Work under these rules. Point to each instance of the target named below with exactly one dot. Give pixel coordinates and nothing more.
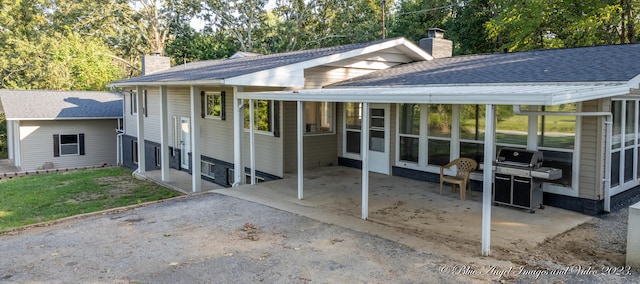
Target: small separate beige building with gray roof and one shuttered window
(61, 129)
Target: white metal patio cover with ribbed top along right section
(511, 94)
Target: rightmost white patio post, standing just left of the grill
(487, 178)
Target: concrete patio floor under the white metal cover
(404, 210)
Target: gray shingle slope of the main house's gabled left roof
(229, 68)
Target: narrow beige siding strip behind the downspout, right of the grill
(592, 151)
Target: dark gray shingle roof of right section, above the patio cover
(585, 64)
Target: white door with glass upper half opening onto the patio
(379, 138)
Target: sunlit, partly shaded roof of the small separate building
(60, 105)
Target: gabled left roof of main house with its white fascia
(270, 70)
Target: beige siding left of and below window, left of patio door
(319, 150)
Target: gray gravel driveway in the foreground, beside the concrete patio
(211, 238)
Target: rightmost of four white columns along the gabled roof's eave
(238, 134)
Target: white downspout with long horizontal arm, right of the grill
(608, 141)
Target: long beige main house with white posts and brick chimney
(264, 116)
